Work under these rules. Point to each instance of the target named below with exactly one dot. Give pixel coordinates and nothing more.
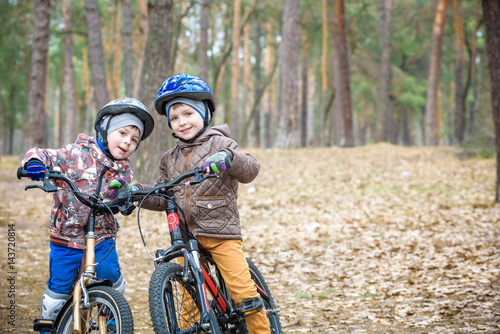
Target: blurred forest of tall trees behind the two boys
(285, 74)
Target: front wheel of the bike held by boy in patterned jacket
(109, 312)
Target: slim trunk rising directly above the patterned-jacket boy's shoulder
(69, 75)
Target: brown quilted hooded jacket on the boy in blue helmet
(211, 207)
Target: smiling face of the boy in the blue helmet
(186, 122)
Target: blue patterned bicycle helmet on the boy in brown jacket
(188, 86)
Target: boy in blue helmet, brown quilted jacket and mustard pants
(211, 206)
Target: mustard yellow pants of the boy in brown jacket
(231, 261)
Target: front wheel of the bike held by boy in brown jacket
(173, 304)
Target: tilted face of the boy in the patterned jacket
(123, 141)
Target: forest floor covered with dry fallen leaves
(376, 239)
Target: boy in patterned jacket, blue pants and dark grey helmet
(92, 163)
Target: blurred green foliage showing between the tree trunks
(412, 23)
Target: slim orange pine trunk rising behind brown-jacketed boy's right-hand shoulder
(233, 118)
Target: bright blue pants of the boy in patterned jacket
(65, 263)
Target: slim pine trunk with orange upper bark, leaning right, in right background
(431, 106)
